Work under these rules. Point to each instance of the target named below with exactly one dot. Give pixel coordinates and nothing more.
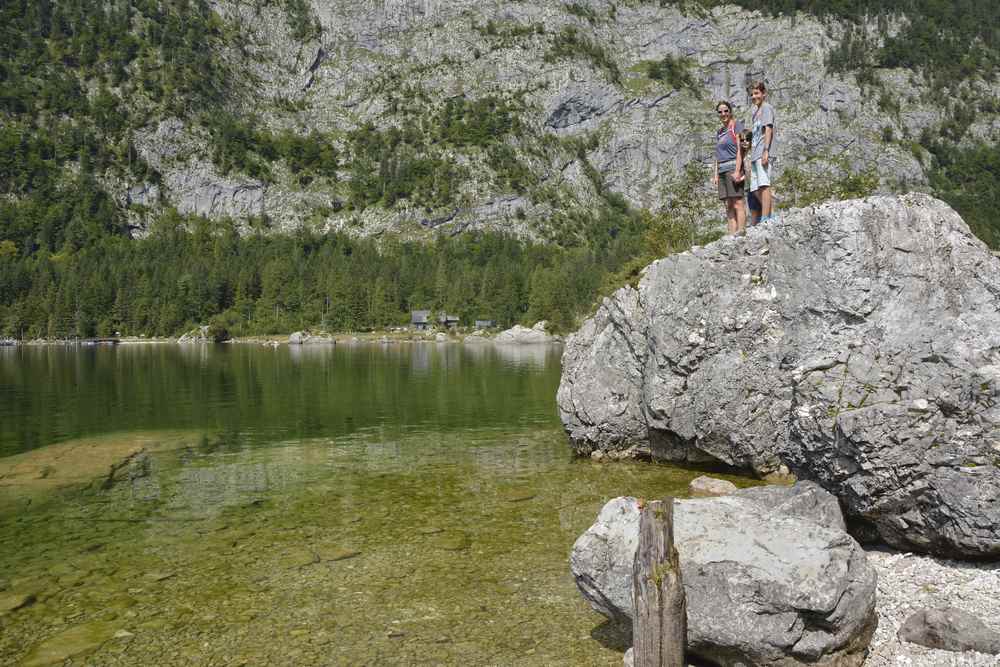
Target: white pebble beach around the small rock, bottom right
(909, 582)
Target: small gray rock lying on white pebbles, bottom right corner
(949, 629)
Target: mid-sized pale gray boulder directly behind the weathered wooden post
(764, 587)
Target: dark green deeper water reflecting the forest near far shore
(51, 394)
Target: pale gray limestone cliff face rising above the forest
(591, 120)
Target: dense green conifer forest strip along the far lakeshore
(193, 271)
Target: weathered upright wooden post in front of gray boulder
(659, 627)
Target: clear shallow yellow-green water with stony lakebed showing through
(446, 548)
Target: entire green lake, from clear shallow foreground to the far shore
(401, 504)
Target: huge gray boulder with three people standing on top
(856, 343)
